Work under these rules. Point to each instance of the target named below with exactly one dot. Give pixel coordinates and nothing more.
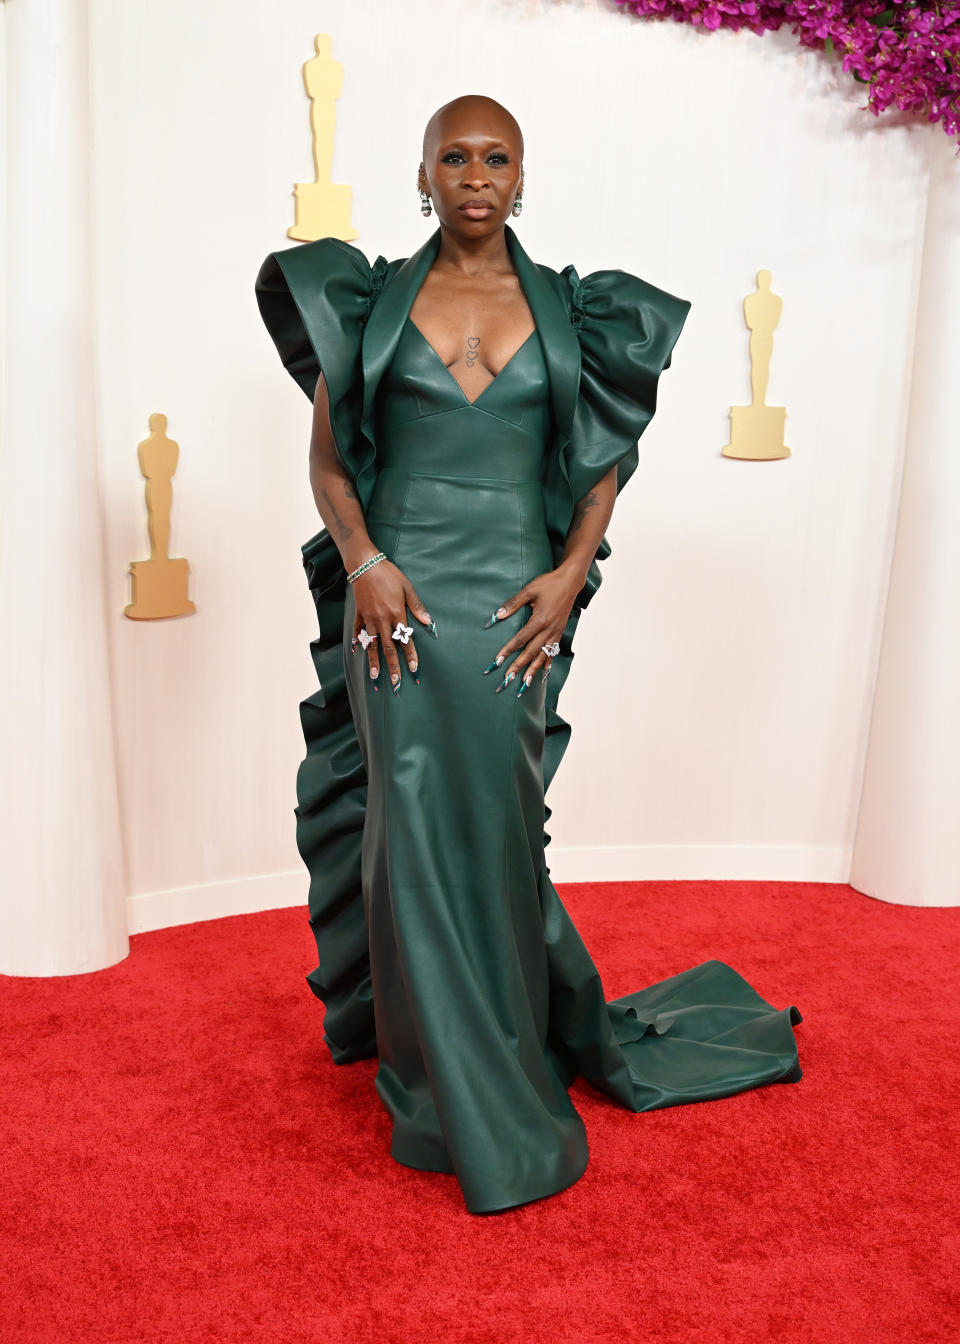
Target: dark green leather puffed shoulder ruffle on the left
(315, 300)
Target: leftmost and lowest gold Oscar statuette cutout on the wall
(159, 584)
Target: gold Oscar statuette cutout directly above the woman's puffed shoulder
(322, 206)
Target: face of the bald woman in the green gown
(471, 171)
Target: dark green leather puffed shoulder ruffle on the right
(627, 331)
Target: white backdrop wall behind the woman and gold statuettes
(724, 678)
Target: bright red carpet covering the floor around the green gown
(184, 1162)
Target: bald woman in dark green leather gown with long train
(475, 419)
